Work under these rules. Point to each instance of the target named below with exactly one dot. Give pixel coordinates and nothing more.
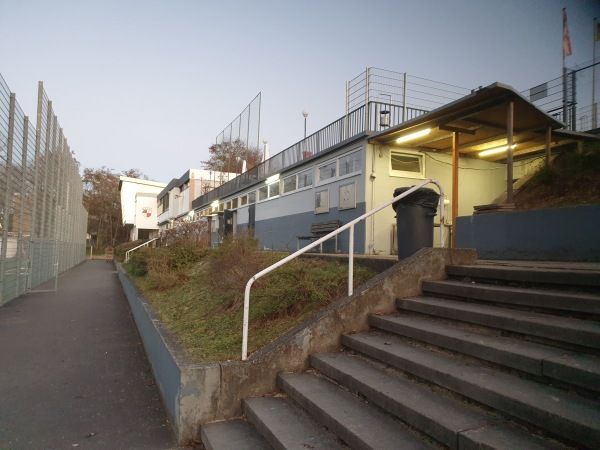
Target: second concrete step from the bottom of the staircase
(284, 425)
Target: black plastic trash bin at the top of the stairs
(414, 219)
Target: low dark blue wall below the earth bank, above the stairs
(559, 234)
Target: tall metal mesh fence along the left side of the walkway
(42, 219)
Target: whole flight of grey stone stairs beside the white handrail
(497, 356)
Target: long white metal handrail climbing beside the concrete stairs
(349, 225)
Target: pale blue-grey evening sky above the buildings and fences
(149, 84)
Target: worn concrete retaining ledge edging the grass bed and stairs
(198, 393)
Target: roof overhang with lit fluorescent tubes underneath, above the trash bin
(482, 121)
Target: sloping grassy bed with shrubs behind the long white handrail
(201, 301)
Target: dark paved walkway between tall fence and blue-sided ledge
(73, 373)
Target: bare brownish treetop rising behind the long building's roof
(228, 156)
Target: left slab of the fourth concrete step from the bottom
(435, 415)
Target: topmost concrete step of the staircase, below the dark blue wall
(549, 275)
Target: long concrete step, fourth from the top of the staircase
(569, 367)
